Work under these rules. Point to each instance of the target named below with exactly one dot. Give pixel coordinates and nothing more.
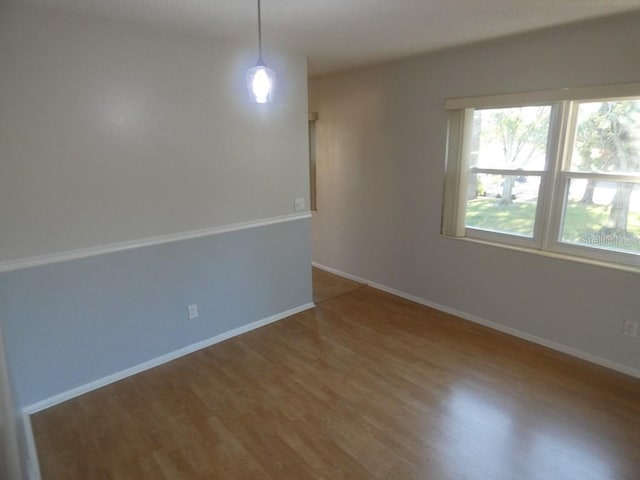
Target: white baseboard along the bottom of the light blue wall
(141, 367)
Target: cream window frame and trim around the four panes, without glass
(554, 180)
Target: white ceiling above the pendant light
(339, 34)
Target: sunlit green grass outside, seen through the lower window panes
(582, 222)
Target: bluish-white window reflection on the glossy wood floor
(489, 436)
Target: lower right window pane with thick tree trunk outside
(603, 215)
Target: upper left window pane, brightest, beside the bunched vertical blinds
(510, 138)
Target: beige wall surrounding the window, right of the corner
(380, 160)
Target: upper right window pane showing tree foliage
(607, 137)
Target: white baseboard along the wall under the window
(493, 325)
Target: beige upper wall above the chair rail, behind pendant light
(112, 133)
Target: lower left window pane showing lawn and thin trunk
(505, 204)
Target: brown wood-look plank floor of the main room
(366, 385)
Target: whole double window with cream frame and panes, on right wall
(555, 171)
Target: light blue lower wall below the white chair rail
(71, 323)
